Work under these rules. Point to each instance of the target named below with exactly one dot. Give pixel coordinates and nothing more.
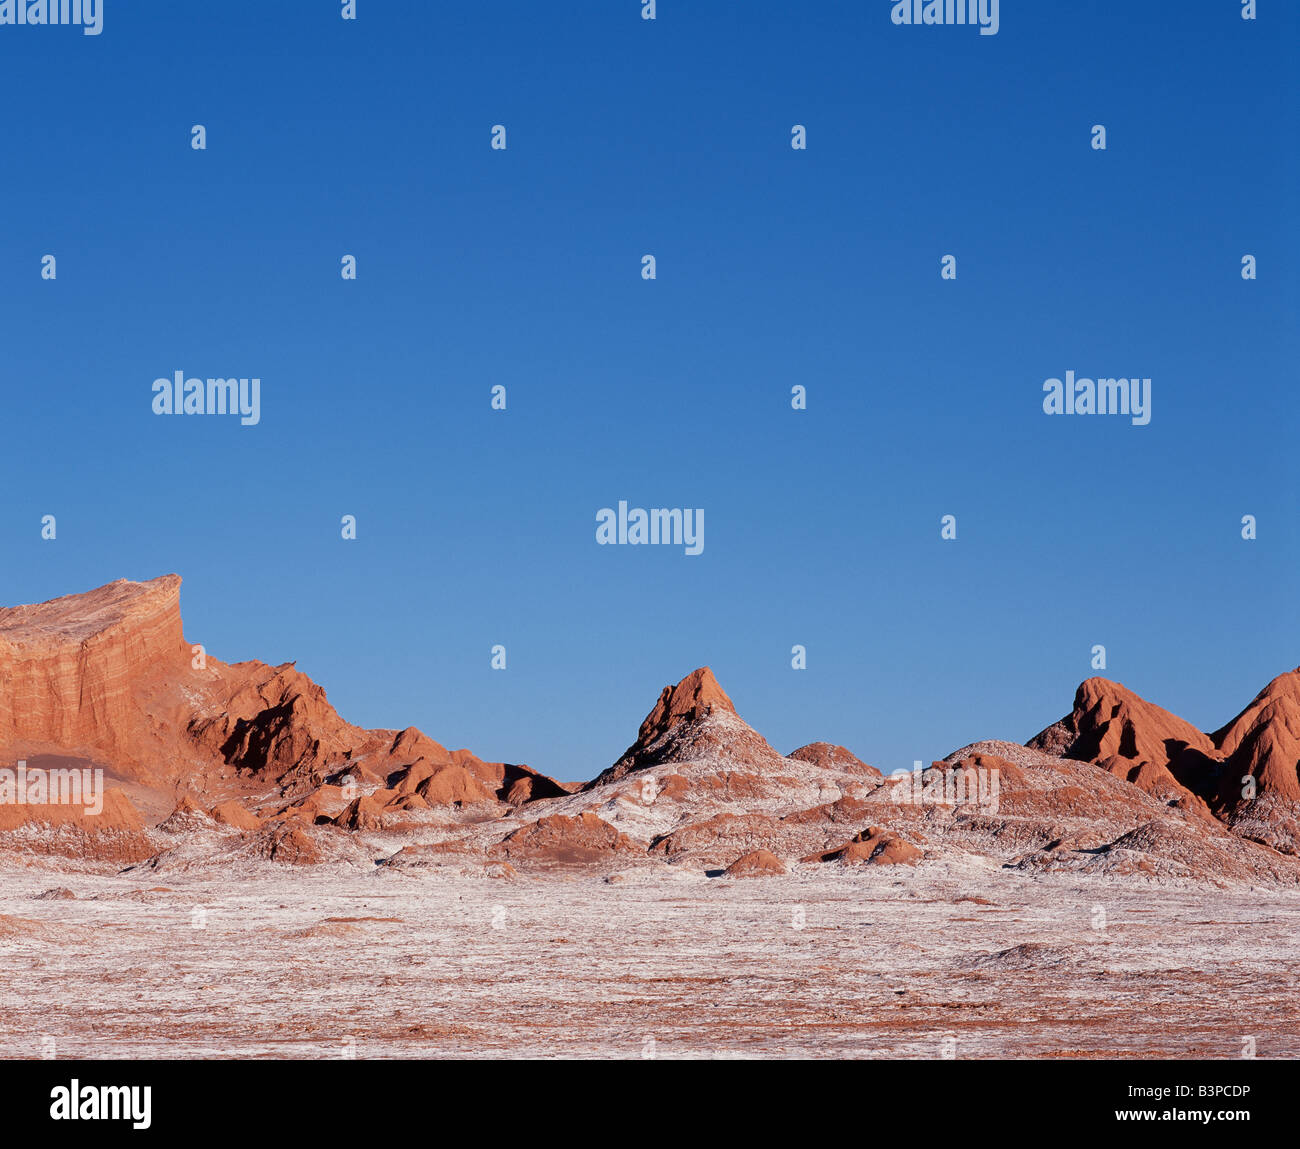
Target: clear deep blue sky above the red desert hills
(775, 267)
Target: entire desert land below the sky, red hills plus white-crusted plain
(261, 879)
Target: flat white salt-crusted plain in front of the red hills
(948, 960)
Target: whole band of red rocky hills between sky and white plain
(244, 764)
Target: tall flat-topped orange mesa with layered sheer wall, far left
(70, 667)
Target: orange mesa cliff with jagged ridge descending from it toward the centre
(107, 677)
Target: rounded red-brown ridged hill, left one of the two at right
(1111, 722)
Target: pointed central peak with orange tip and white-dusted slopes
(692, 722)
